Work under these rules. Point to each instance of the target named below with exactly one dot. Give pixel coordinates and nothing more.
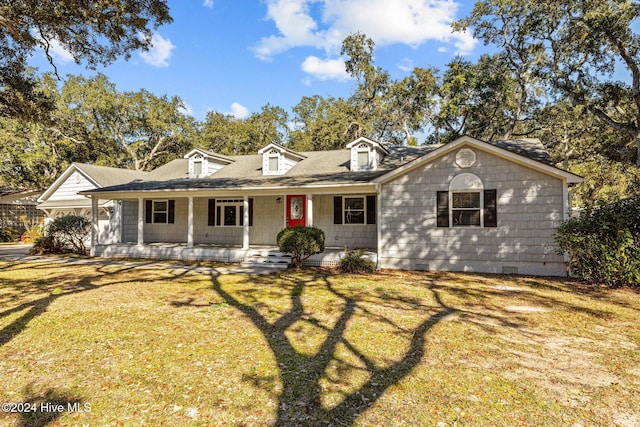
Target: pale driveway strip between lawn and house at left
(20, 252)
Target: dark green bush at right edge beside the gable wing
(603, 243)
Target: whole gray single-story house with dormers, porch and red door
(468, 205)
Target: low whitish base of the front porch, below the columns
(268, 255)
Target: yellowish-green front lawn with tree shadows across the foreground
(134, 346)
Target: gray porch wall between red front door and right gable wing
(340, 235)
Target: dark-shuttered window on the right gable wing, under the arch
(467, 209)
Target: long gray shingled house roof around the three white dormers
(330, 168)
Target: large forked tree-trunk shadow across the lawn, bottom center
(302, 374)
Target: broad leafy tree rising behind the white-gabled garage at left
(126, 129)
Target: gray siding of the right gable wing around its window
(529, 208)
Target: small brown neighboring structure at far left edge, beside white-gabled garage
(18, 204)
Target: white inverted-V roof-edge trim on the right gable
(484, 146)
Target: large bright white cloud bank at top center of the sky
(410, 22)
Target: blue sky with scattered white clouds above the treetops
(236, 56)
